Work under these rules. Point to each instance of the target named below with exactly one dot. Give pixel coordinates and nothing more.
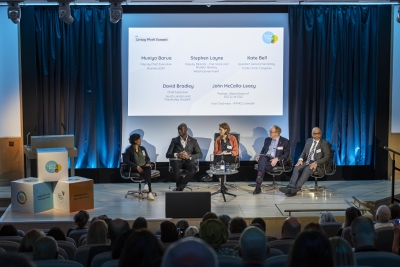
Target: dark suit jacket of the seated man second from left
(192, 148)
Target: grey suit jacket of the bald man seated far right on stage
(319, 157)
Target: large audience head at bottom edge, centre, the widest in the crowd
(190, 252)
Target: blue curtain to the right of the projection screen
(333, 78)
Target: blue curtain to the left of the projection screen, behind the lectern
(79, 81)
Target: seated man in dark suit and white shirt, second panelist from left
(184, 152)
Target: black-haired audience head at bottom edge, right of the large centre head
(311, 249)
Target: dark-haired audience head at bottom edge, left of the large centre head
(142, 249)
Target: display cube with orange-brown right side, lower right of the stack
(74, 194)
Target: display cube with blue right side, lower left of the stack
(31, 195)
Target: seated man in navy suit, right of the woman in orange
(276, 151)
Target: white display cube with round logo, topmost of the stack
(52, 164)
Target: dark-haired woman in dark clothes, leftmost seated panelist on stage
(138, 160)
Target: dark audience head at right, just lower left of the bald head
(363, 234)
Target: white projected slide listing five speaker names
(205, 71)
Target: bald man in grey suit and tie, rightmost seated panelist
(316, 152)
